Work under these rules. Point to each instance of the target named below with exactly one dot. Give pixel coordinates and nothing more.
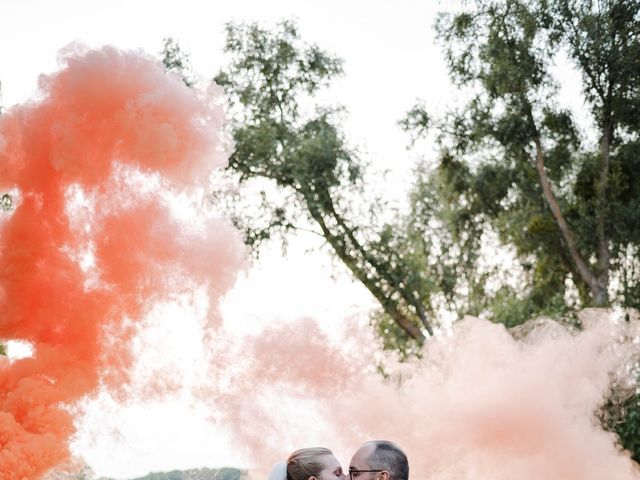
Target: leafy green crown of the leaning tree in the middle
(268, 76)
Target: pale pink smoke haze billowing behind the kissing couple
(480, 405)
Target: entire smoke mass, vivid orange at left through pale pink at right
(93, 246)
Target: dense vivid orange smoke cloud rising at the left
(91, 242)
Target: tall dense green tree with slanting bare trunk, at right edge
(517, 163)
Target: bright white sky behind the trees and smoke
(390, 61)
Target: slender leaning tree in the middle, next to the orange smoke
(313, 179)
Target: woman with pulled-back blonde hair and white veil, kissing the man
(308, 464)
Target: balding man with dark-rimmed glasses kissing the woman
(379, 460)
